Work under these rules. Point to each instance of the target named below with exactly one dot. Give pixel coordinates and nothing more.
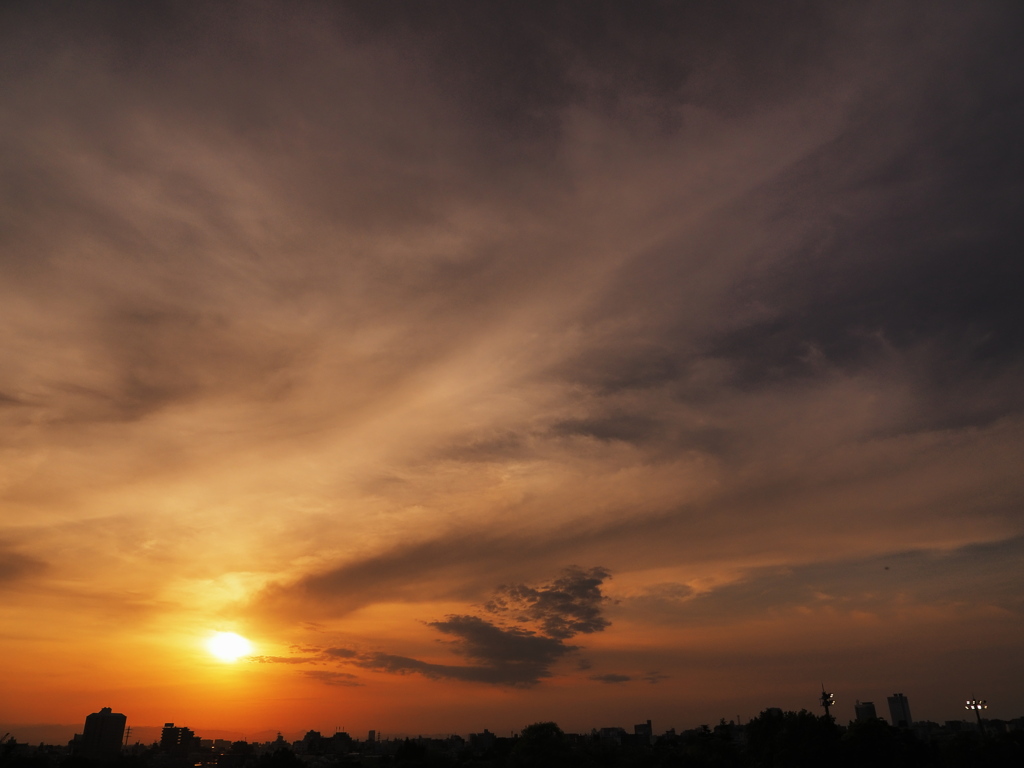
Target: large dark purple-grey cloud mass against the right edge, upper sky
(898, 240)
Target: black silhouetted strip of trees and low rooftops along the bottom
(789, 740)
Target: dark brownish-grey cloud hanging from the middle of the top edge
(514, 67)
